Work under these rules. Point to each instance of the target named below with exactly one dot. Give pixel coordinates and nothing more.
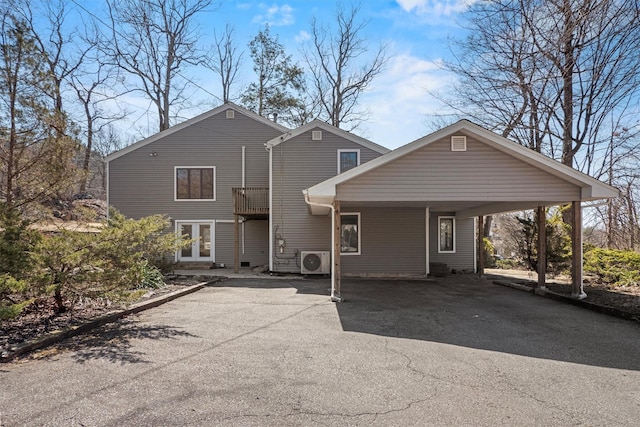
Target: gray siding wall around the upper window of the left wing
(142, 184)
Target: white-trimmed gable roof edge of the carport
(592, 189)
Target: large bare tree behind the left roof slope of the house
(155, 41)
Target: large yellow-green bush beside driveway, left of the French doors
(118, 259)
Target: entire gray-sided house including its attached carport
(318, 199)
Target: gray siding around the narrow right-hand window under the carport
(464, 257)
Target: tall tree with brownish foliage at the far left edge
(35, 151)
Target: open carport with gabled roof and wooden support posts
(469, 171)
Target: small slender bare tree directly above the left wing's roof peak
(225, 61)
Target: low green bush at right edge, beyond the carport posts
(613, 267)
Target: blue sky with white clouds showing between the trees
(398, 102)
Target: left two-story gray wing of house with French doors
(188, 171)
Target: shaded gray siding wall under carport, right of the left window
(393, 241)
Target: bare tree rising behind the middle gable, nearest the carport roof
(342, 67)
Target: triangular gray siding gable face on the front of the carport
(435, 173)
